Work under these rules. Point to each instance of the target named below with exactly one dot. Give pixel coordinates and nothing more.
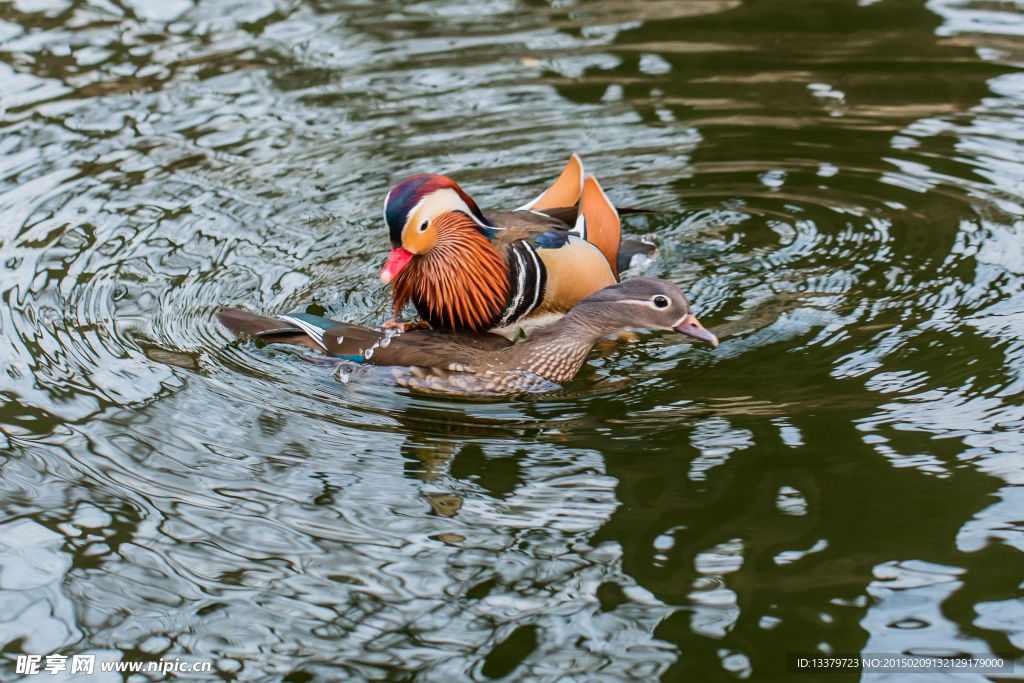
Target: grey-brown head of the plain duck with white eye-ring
(641, 303)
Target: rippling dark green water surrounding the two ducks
(844, 194)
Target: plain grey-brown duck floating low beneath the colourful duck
(482, 364)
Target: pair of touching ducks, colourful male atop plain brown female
(549, 269)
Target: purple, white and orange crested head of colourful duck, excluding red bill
(415, 203)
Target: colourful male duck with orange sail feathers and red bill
(504, 272)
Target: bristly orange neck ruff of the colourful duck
(461, 283)
